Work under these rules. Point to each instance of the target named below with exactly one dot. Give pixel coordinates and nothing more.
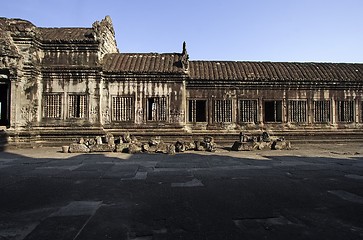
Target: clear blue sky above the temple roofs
(238, 30)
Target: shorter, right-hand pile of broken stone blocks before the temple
(262, 142)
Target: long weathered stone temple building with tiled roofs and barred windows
(57, 84)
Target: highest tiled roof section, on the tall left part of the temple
(66, 34)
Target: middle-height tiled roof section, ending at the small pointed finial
(143, 63)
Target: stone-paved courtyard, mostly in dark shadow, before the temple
(312, 192)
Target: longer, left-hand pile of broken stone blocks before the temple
(130, 144)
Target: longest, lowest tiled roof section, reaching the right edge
(228, 70)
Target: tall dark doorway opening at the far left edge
(4, 102)
